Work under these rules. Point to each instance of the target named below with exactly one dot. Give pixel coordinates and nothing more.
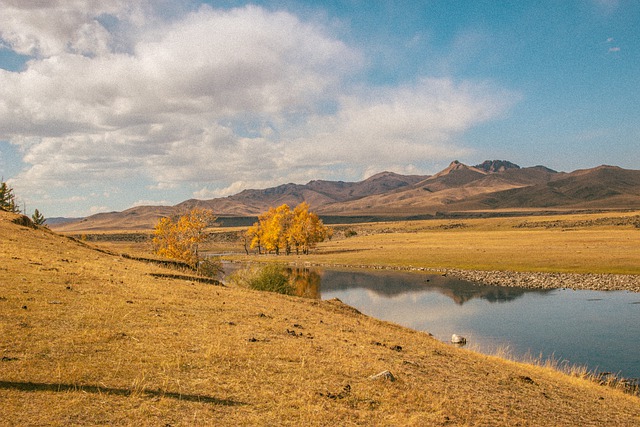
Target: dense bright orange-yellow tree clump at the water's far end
(283, 230)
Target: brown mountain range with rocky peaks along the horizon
(492, 187)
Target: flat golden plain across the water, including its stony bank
(558, 249)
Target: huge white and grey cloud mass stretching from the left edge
(218, 99)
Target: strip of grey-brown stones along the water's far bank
(537, 280)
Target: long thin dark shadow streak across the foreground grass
(33, 387)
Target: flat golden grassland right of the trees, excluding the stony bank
(569, 243)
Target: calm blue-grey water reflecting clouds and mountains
(598, 329)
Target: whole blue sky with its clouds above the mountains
(105, 105)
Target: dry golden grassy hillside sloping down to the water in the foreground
(90, 338)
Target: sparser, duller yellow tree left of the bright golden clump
(178, 238)
